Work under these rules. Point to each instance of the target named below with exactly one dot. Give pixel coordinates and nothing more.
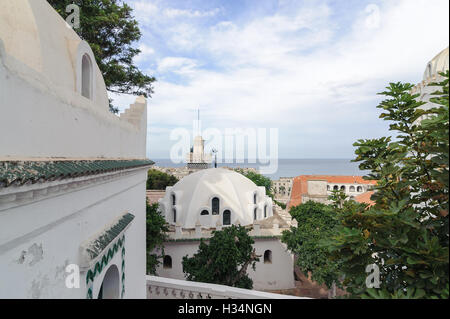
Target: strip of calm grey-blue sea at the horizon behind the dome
(294, 167)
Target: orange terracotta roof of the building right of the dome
(300, 184)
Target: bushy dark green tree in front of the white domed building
(224, 260)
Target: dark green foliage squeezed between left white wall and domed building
(156, 235)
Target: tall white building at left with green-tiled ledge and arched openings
(72, 175)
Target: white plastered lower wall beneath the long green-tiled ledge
(48, 233)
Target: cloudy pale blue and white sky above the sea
(309, 68)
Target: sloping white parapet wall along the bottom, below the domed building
(168, 288)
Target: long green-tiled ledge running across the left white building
(26, 172)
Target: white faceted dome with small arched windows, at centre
(194, 194)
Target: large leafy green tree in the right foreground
(406, 232)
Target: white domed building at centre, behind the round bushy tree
(212, 199)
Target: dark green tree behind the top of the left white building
(110, 29)
